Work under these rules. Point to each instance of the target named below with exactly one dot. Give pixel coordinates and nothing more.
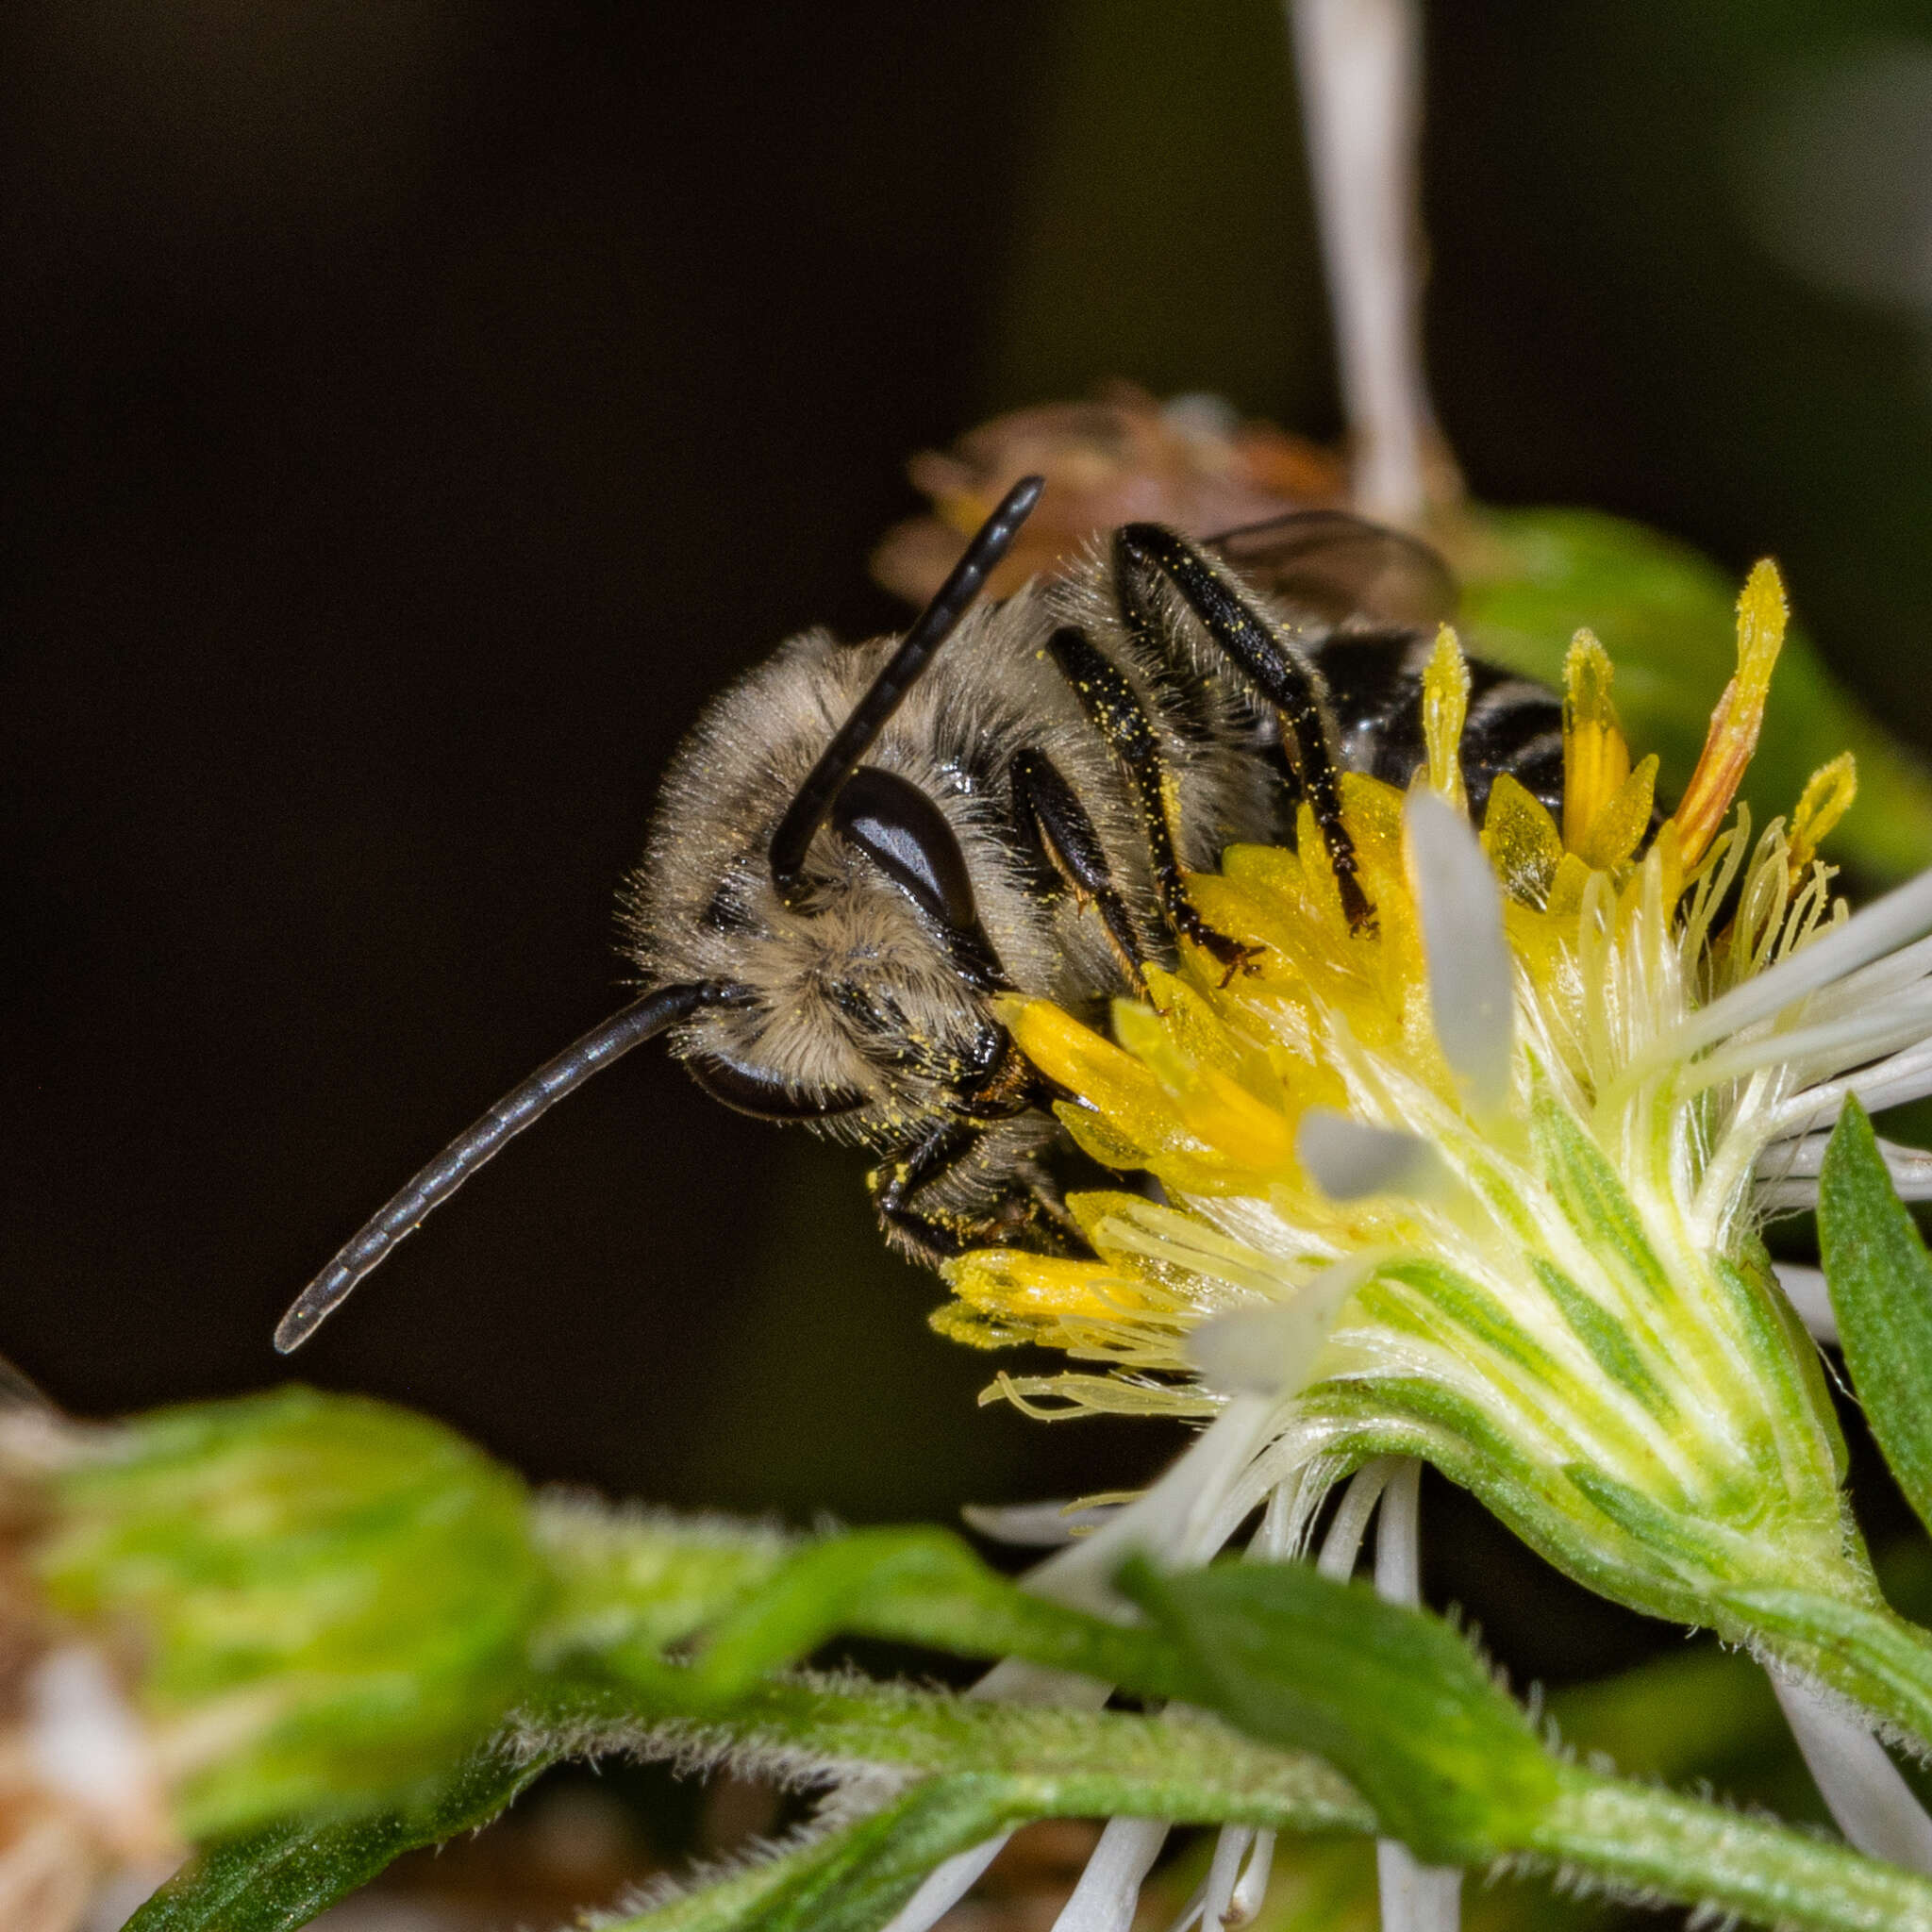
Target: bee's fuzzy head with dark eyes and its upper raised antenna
(836, 895)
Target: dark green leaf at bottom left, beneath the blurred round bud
(285, 1875)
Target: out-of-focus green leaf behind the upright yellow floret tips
(1668, 619)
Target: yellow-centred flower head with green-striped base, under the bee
(1485, 1183)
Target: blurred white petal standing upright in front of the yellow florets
(1471, 977)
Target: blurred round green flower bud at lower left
(333, 1595)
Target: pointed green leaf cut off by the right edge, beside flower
(1881, 1284)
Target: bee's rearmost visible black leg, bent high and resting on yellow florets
(1272, 666)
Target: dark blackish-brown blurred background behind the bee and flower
(414, 411)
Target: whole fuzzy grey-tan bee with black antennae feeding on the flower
(859, 847)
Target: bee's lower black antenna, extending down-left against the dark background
(430, 1189)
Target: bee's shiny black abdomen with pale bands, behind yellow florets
(1375, 685)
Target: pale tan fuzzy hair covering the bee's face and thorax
(704, 905)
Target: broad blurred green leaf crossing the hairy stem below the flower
(1396, 1701)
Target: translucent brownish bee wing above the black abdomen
(1334, 567)
